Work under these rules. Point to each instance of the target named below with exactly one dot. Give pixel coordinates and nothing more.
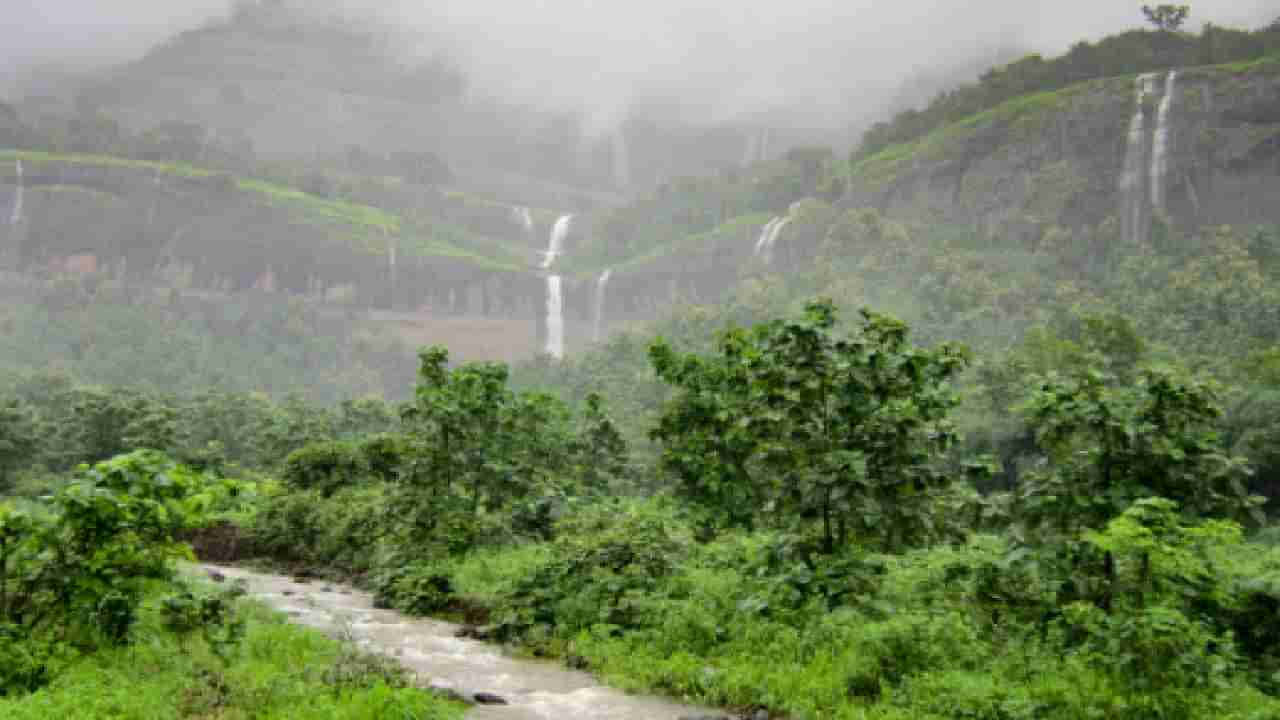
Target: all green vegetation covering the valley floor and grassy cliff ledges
(907, 471)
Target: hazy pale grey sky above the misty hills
(724, 57)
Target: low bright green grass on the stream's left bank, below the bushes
(277, 673)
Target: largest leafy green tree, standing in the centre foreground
(790, 421)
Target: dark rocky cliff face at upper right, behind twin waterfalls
(1058, 158)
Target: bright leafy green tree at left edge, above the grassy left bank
(79, 567)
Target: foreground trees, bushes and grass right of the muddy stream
(813, 540)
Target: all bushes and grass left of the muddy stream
(95, 618)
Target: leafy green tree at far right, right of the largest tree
(1109, 445)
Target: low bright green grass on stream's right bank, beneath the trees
(930, 657)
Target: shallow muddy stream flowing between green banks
(534, 690)
